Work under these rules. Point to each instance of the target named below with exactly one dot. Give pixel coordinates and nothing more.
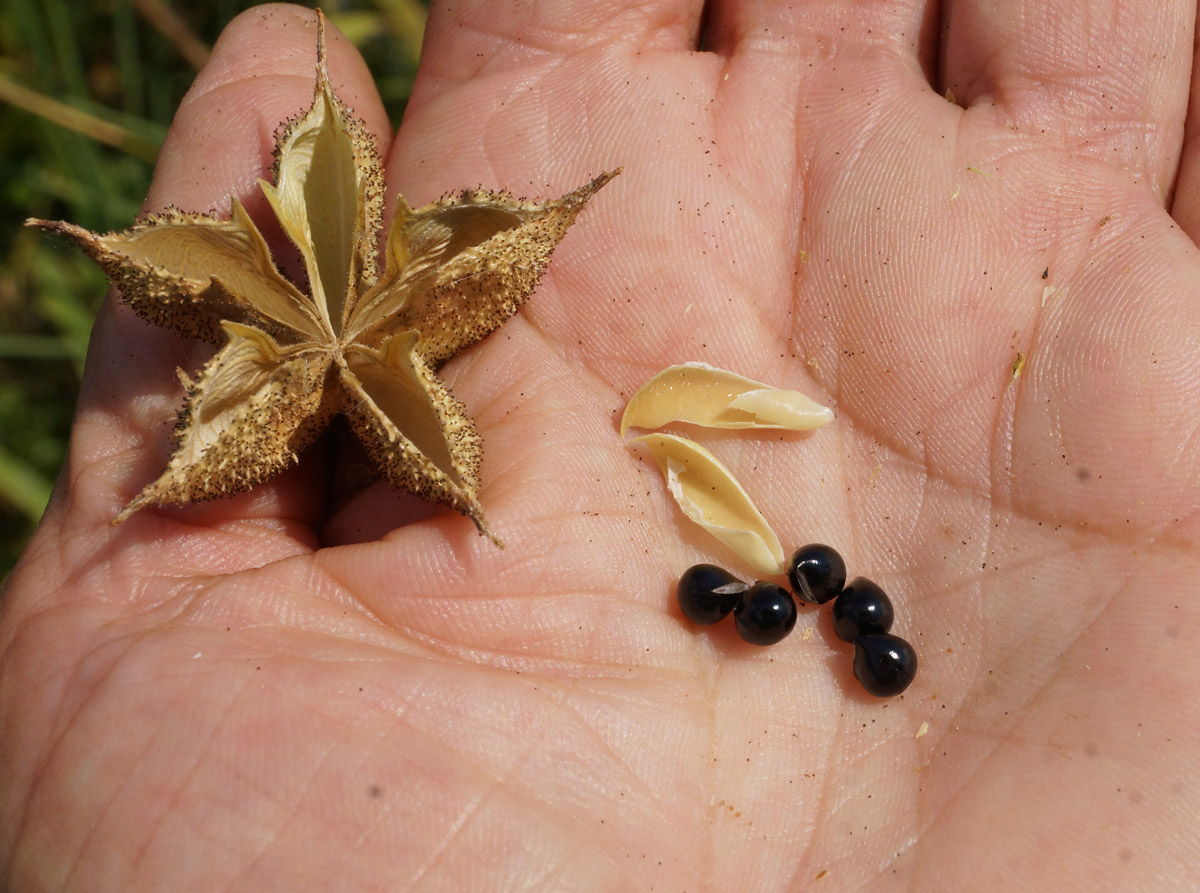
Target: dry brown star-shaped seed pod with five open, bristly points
(362, 343)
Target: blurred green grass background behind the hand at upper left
(87, 93)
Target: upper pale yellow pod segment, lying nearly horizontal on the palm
(700, 394)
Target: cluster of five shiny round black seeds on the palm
(765, 613)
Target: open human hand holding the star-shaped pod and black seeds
(297, 691)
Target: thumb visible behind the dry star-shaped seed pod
(262, 74)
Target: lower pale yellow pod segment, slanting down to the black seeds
(712, 498)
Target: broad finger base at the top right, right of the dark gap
(1106, 77)
